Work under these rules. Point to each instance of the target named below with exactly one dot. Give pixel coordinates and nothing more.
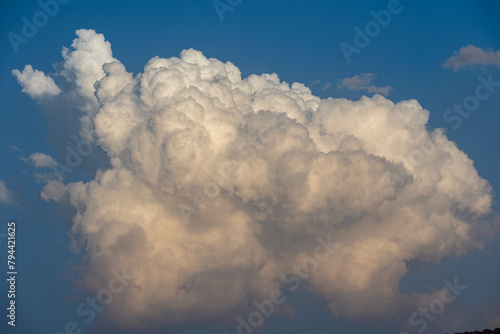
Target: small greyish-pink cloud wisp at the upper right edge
(471, 55)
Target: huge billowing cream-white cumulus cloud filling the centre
(218, 184)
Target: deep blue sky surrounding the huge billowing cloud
(298, 40)
